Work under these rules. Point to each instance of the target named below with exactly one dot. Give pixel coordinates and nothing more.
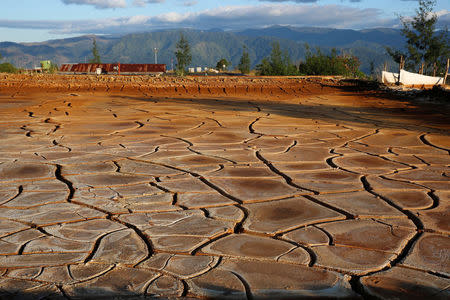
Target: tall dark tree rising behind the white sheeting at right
(423, 43)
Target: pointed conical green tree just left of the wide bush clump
(277, 64)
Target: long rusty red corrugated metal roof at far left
(112, 68)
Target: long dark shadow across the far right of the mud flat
(424, 117)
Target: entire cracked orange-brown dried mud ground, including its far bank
(220, 188)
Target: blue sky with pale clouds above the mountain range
(40, 20)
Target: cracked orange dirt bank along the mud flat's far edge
(168, 86)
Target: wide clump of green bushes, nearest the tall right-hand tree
(332, 64)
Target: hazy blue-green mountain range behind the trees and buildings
(208, 46)
